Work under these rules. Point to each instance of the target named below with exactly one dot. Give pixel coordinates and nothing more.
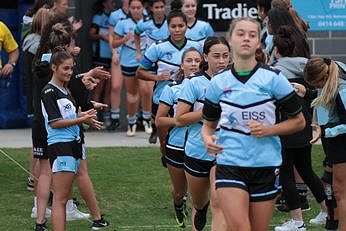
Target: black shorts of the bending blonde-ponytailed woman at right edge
(335, 148)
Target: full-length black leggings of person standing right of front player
(301, 159)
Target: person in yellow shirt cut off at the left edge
(11, 47)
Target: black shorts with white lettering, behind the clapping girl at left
(39, 140)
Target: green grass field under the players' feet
(132, 188)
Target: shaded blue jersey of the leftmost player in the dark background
(100, 47)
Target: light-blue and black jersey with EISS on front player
(234, 100)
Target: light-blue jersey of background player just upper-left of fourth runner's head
(154, 32)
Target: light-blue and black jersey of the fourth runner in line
(167, 57)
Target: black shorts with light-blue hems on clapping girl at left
(65, 149)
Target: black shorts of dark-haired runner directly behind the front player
(197, 167)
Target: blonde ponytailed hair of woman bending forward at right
(316, 70)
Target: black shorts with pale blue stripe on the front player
(260, 183)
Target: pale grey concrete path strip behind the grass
(18, 138)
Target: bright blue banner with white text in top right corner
(322, 15)
